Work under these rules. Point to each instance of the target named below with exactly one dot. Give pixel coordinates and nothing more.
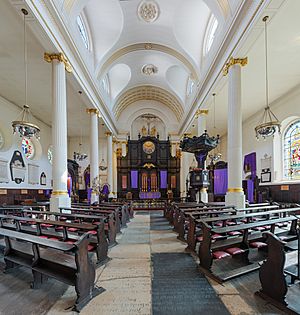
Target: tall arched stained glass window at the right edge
(291, 151)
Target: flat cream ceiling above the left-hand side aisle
(39, 74)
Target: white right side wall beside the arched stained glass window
(284, 107)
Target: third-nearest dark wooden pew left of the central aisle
(110, 227)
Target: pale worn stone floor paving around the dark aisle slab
(127, 277)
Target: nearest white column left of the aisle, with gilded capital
(59, 196)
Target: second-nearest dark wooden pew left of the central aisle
(61, 231)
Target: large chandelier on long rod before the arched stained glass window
(269, 123)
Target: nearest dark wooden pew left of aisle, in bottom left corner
(68, 263)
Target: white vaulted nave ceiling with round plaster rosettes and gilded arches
(130, 35)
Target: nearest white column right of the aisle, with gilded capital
(235, 194)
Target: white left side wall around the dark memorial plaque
(10, 112)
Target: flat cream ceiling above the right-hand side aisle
(284, 64)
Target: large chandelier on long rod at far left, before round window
(23, 127)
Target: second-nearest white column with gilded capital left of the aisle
(94, 153)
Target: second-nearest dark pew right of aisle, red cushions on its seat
(232, 256)
